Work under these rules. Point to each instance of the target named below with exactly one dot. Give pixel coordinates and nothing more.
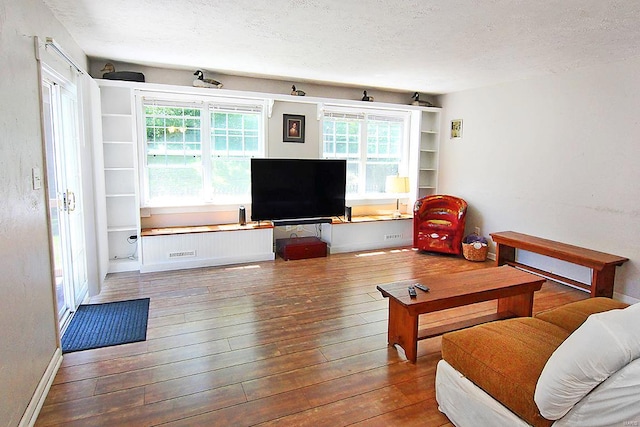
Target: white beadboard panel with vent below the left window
(214, 248)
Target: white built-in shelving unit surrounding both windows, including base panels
(129, 250)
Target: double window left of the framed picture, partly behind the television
(199, 152)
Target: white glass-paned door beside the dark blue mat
(60, 124)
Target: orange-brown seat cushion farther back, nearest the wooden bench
(571, 316)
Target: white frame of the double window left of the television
(208, 106)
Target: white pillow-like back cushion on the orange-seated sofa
(602, 345)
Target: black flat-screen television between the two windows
(297, 188)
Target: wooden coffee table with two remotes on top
(512, 288)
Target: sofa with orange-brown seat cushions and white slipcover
(576, 365)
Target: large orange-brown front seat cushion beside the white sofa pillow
(505, 359)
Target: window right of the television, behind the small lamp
(374, 144)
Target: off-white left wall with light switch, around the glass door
(28, 337)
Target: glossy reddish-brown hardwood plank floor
(274, 343)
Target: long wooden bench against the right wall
(602, 265)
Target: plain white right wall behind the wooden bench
(555, 157)
